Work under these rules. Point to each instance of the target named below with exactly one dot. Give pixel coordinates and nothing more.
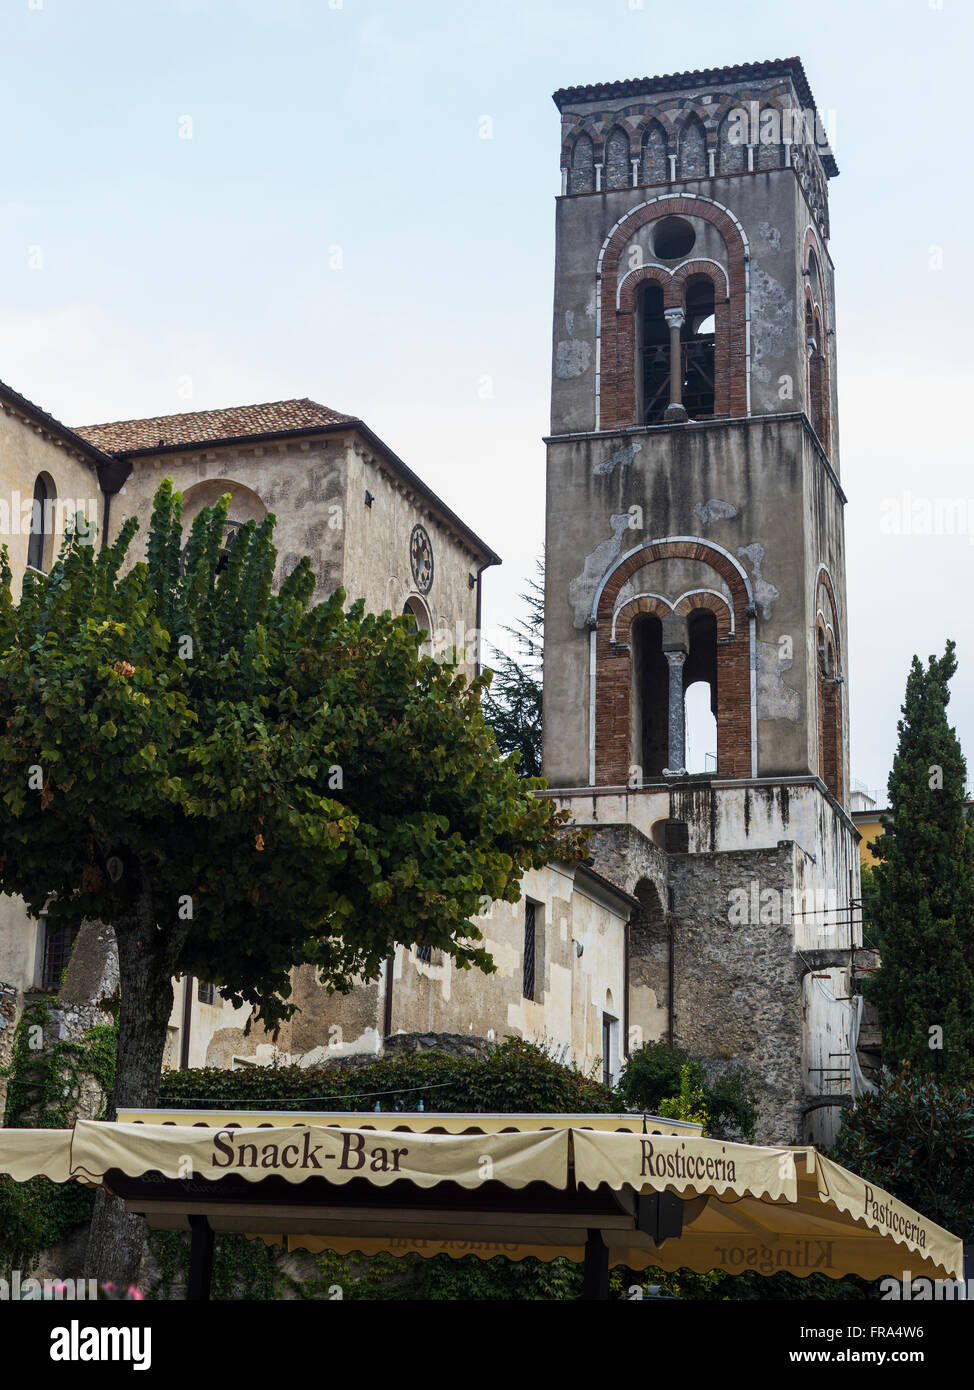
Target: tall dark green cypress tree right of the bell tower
(923, 900)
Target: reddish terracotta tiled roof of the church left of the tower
(273, 418)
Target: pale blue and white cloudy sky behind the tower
(220, 202)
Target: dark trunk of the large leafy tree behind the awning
(117, 1239)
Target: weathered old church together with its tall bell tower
(697, 710)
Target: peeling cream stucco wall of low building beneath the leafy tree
(573, 989)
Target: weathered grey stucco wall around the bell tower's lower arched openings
(759, 493)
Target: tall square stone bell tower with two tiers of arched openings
(695, 548)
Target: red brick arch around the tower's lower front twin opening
(612, 685)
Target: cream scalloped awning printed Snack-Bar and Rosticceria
(611, 1191)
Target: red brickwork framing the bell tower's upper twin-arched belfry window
(619, 350)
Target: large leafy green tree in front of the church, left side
(240, 782)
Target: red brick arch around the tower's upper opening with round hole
(616, 407)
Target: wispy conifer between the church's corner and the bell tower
(513, 704)
